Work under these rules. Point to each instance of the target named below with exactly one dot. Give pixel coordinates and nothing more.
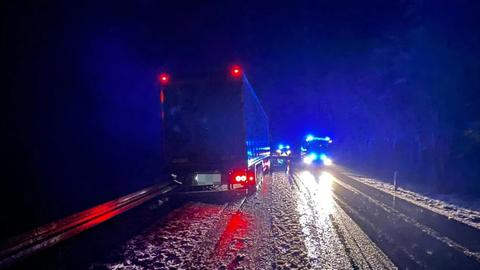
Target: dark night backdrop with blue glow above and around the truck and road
(82, 104)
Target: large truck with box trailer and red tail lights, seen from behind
(215, 130)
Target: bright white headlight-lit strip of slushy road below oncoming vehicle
(340, 233)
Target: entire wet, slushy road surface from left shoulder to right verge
(302, 219)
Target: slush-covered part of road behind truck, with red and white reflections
(292, 222)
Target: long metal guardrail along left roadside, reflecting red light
(45, 236)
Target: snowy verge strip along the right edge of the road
(451, 206)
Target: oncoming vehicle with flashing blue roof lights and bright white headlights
(315, 151)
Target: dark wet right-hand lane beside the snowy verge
(412, 235)
